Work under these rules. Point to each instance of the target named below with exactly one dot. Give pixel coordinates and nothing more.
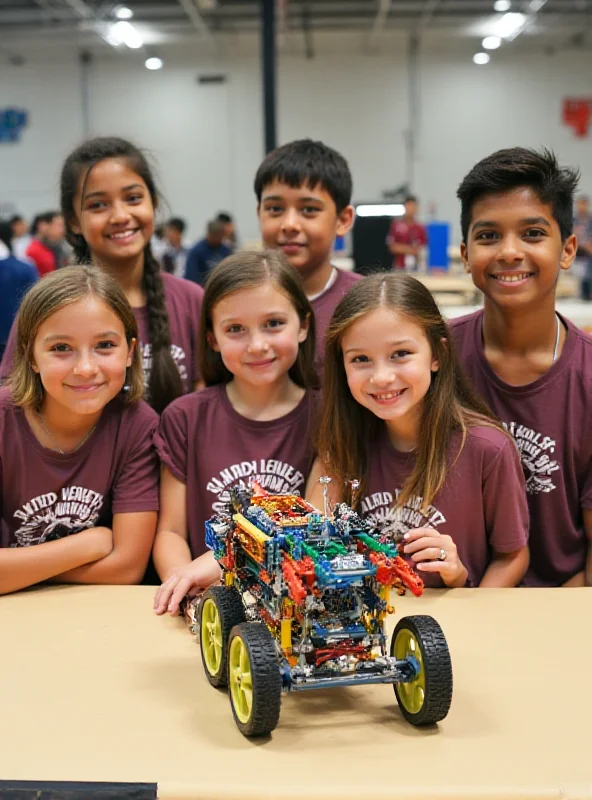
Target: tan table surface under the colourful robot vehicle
(95, 687)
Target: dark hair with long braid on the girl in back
(165, 382)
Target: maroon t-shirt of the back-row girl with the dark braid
(183, 302)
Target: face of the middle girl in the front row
(257, 332)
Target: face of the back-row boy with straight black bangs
(302, 223)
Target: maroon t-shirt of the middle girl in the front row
(209, 446)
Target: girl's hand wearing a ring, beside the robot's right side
(432, 551)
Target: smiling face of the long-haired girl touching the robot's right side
(389, 363)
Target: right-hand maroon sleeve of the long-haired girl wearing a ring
(504, 500)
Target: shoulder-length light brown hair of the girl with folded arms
(54, 292)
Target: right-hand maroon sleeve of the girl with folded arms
(136, 483)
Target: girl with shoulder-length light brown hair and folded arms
(78, 469)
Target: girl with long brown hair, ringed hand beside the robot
(407, 442)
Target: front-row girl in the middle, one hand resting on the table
(253, 421)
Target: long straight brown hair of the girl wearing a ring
(348, 430)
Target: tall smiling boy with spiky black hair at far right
(532, 366)
